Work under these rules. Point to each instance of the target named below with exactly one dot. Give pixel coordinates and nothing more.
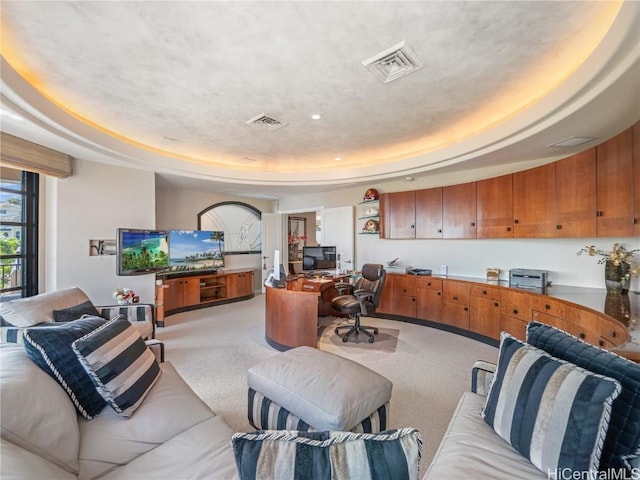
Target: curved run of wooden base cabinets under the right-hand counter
(487, 310)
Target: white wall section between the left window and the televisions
(92, 204)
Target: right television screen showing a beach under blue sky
(196, 250)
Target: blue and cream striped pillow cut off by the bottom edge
(295, 455)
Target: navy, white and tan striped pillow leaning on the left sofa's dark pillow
(120, 364)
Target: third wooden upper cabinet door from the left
(459, 211)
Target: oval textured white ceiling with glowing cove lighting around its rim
(170, 85)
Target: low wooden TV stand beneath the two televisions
(181, 292)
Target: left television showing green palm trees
(141, 251)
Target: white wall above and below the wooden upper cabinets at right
(472, 257)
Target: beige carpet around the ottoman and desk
(213, 348)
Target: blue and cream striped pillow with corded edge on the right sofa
(554, 413)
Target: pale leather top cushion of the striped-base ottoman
(327, 391)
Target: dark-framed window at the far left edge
(18, 234)
